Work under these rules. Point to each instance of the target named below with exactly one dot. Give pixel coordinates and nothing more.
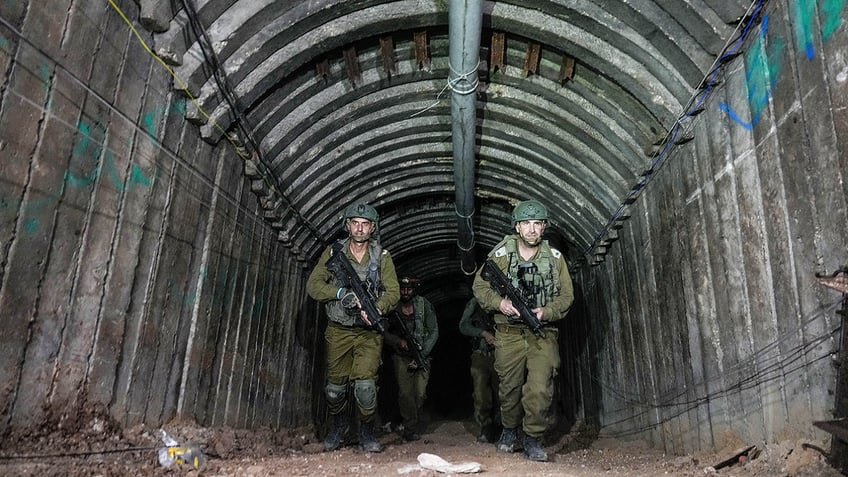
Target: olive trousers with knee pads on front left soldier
(353, 356)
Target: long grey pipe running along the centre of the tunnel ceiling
(465, 20)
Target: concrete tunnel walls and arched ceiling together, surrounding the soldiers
(172, 170)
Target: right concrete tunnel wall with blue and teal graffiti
(705, 324)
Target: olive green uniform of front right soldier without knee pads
(525, 363)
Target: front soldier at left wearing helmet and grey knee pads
(354, 343)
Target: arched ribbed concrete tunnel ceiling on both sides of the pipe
(346, 100)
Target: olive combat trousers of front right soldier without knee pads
(526, 366)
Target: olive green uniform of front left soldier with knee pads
(353, 351)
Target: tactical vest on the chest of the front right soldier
(540, 283)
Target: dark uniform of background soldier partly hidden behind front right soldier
(484, 379)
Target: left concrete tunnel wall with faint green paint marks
(139, 277)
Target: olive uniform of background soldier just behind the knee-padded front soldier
(412, 385)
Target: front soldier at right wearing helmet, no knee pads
(526, 349)
